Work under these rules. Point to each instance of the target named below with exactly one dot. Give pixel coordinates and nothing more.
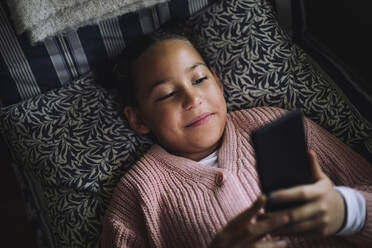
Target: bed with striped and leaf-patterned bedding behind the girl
(61, 119)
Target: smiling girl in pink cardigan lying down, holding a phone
(198, 186)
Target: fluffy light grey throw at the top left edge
(44, 18)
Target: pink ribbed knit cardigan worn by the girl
(171, 201)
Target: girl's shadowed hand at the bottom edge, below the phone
(241, 232)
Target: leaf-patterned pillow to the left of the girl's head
(70, 146)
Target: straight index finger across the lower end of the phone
(300, 193)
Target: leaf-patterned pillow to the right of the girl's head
(260, 65)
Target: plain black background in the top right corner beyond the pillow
(345, 27)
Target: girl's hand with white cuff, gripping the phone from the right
(324, 211)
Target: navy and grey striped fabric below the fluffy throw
(28, 70)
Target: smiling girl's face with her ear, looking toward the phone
(179, 99)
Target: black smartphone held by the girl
(281, 155)
